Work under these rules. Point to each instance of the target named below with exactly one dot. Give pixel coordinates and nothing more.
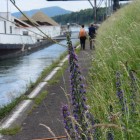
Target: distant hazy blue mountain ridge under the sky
(49, 11)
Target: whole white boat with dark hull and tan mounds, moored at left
(22, 36)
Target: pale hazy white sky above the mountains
(36, 4)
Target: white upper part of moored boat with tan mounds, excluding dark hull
(23, 31)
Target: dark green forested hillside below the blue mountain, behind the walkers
(82, 17)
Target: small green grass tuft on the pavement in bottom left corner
(10, 131)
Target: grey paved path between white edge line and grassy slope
(49, 111)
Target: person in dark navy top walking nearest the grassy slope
(92, 33)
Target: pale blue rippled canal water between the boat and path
(17, 74)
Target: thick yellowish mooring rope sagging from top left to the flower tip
(36, 25)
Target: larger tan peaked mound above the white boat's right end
(41, 17)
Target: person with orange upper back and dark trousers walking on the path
(82, 36)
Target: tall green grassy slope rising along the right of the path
(117, 49)
